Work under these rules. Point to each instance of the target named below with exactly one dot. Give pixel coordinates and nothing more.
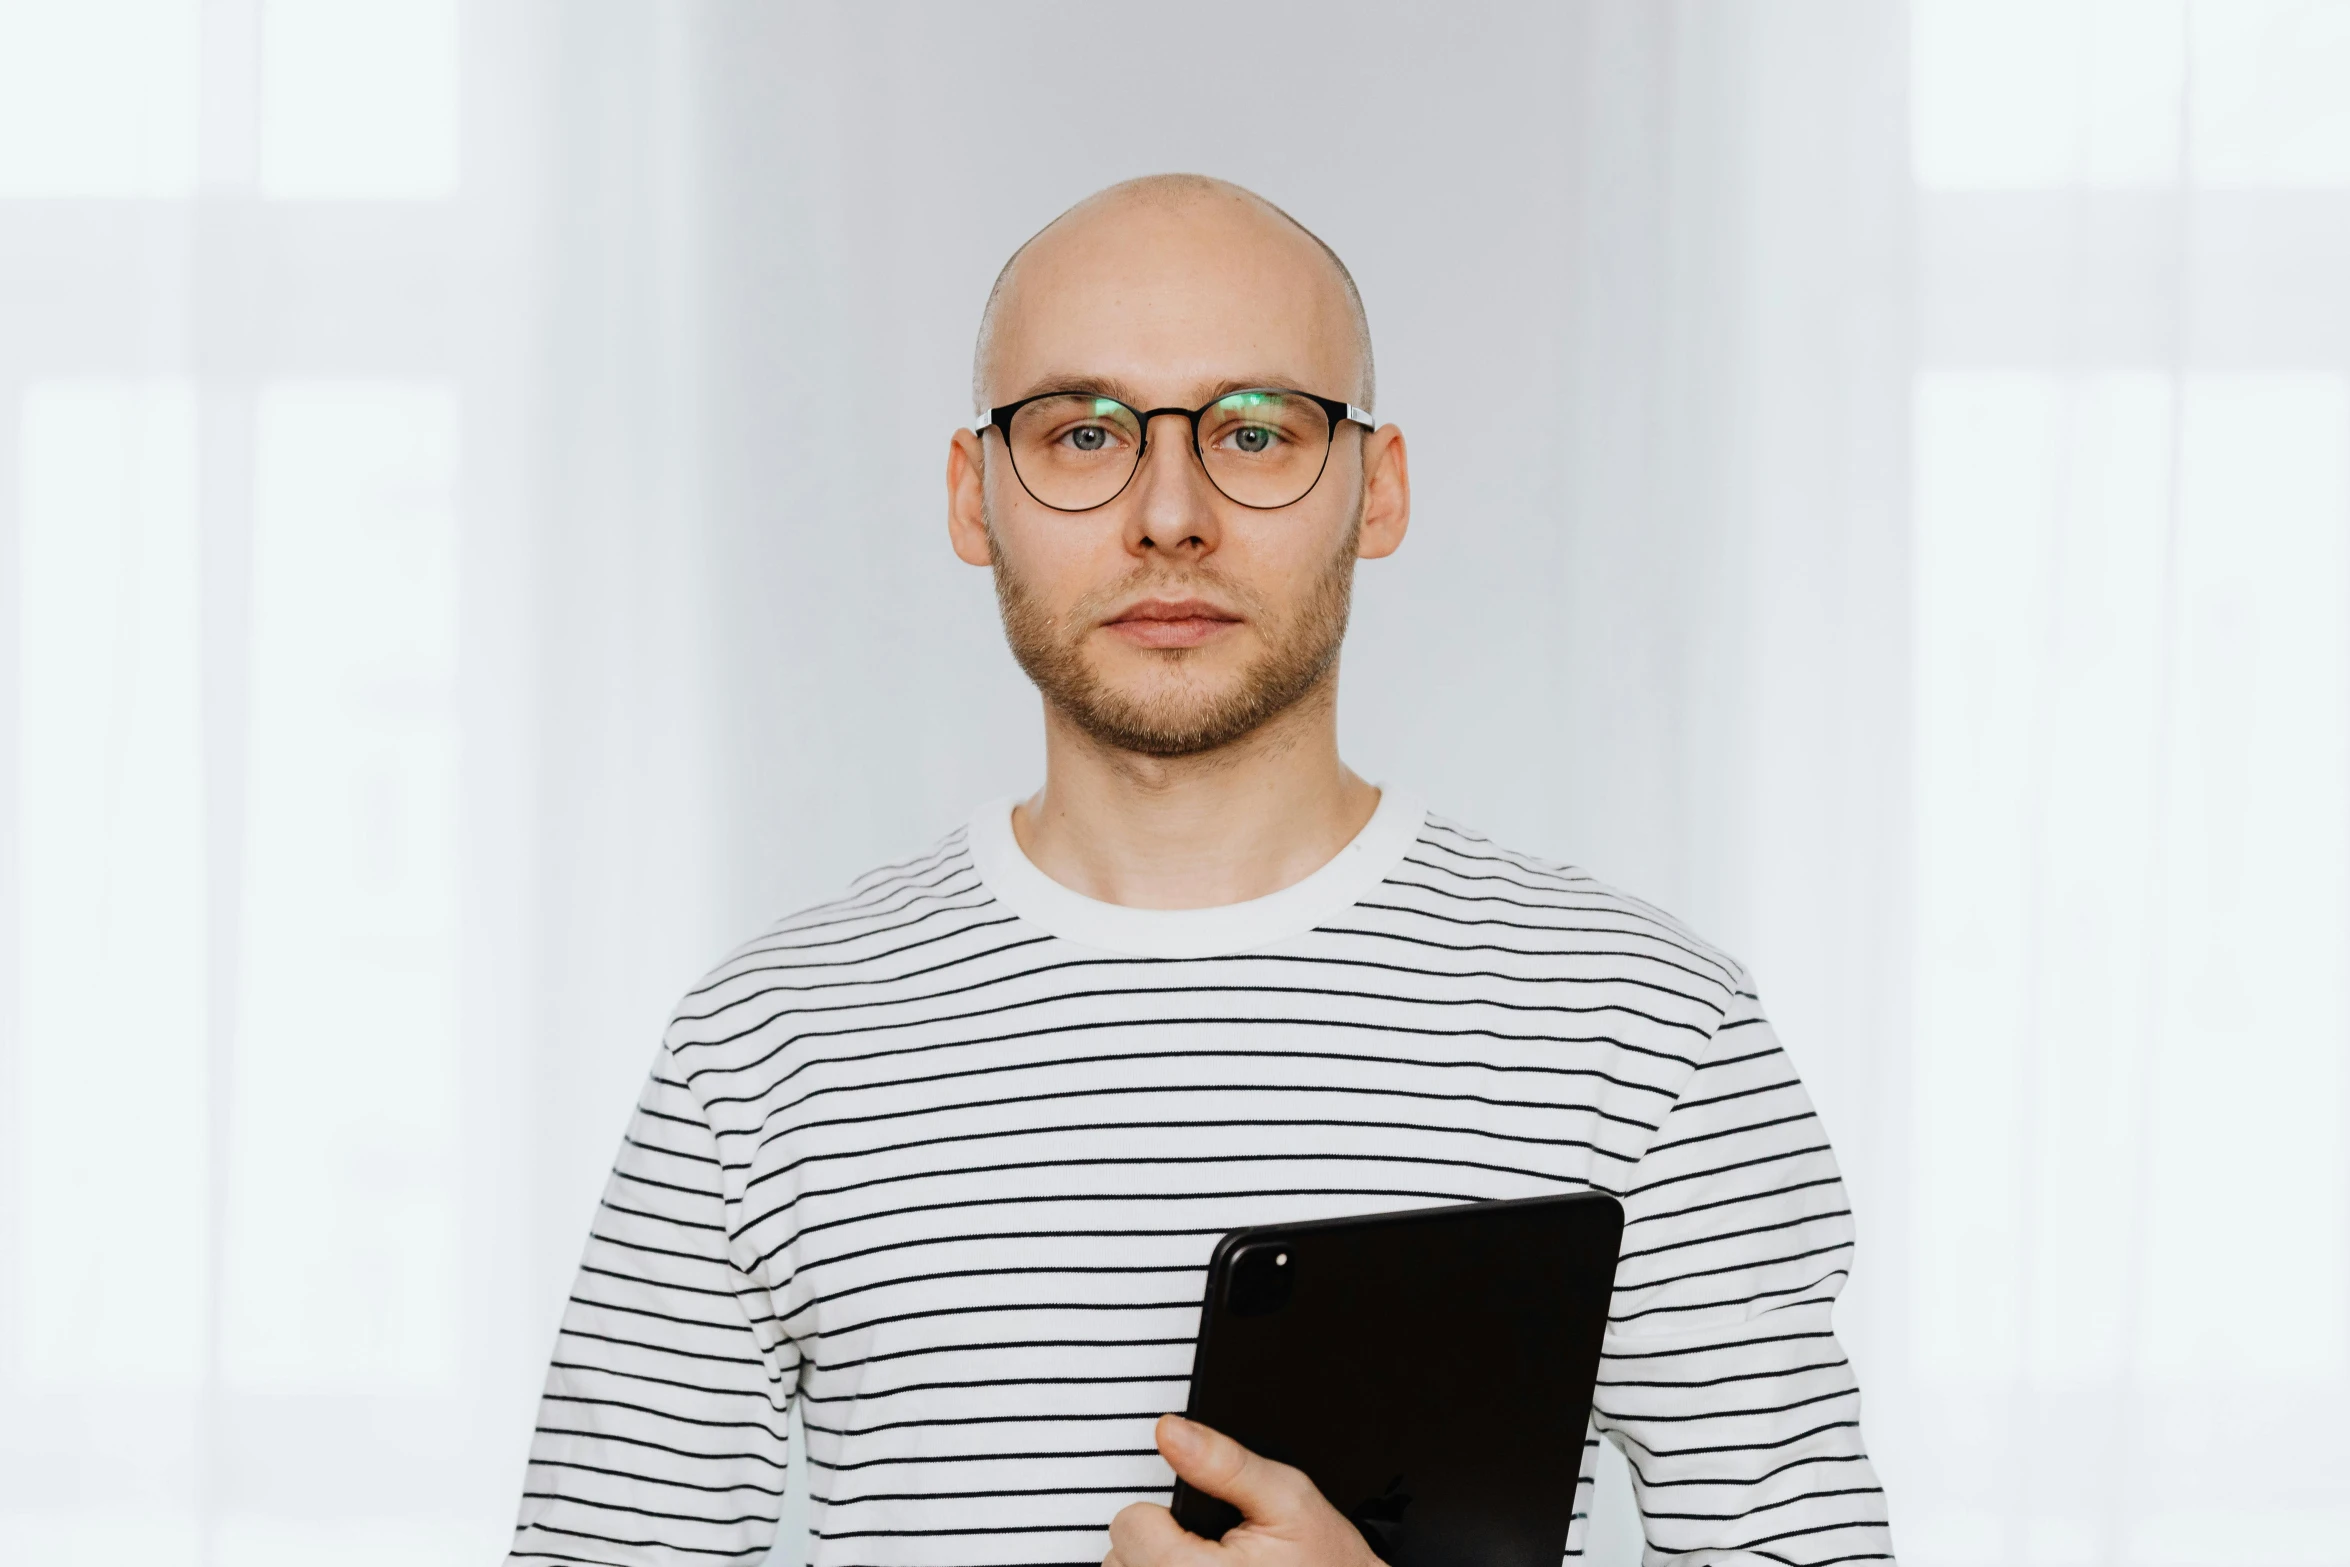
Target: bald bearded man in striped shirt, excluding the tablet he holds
(946, 1159)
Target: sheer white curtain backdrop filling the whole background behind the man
(469, 483)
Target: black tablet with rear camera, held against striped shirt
(1430, 1371)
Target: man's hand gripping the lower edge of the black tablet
(1284, 1521)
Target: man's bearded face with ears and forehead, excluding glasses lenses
(1174, 621)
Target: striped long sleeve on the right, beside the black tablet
(1721, 1376)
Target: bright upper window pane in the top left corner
(98, 97)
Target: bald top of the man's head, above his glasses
(1176, 274)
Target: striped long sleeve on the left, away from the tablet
(662, 1434)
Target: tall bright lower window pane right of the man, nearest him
(2041, 520)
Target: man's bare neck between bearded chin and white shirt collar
(1193, 833)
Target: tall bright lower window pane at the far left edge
(109, 1119)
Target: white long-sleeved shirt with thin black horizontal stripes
(944, 1162)
